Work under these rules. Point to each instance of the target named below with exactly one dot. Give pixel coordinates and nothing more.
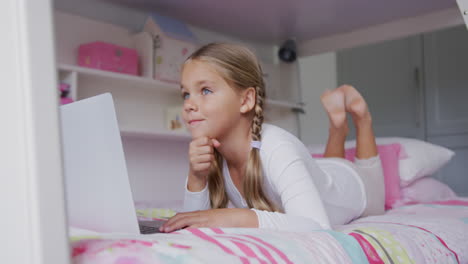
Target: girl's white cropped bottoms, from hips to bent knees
(352, 189)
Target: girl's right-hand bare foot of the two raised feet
(355, 105)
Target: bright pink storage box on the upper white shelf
(108, 57)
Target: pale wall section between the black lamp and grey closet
(317, 74)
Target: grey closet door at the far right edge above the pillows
(446, 56)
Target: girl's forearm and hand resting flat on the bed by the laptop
(226, 217)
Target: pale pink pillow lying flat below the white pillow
(424, 190)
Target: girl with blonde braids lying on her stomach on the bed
(261, 170)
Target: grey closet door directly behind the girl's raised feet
(388, 75)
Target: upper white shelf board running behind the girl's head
(152, 83)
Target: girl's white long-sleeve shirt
(292, 180)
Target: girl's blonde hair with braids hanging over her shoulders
(241, 69)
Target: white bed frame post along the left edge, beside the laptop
(32, 202)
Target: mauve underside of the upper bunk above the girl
(277, 20)
